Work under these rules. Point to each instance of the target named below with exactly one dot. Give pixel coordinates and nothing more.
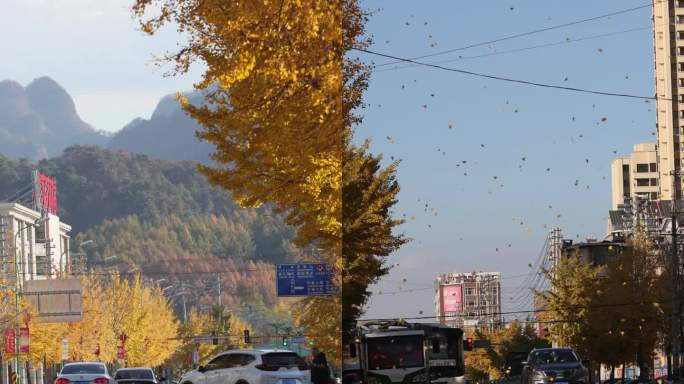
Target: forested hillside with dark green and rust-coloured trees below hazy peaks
(162, 218)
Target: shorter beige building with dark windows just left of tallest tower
(636, 175)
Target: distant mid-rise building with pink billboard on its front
(469, 300)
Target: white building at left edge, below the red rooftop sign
(41, 251)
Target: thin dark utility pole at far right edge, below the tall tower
(674, 342)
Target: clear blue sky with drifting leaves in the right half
(475, 214)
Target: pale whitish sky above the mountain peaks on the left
(92, 48)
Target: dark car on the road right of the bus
(554, 365)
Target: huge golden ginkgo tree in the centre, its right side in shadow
(281, 98)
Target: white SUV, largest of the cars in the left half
(251, 367)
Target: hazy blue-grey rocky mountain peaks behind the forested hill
(40, 120)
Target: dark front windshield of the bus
(395, 352)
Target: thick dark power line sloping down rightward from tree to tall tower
(510, 80)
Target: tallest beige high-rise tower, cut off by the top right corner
(668, 43)
